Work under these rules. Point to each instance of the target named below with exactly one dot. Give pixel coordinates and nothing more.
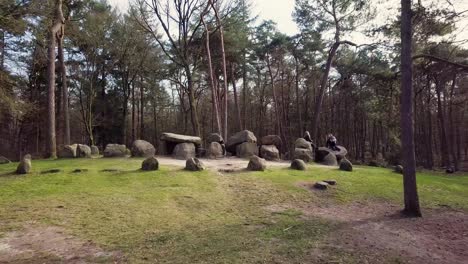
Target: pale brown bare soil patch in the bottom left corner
(47, 244)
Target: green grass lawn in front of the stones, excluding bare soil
(174, 216)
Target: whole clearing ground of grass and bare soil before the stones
(111, 212)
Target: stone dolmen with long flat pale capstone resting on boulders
(180, 146)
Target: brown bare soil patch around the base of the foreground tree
(376, 232)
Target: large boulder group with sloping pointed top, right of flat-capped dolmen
(243, 144)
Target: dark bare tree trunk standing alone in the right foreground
(407, 136)
